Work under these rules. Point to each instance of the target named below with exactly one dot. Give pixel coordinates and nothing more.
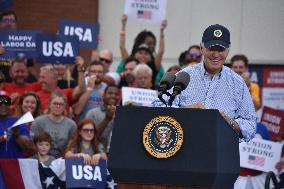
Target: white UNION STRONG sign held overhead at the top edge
(153, 11)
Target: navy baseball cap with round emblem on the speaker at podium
(216, 35)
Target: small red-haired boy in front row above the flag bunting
(42, 141)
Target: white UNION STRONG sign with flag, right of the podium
(260, 154)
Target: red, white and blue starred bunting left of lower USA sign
(30, 174)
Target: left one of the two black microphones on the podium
(166, 83)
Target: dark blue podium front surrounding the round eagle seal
(208, 157)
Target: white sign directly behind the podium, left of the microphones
(138, 96)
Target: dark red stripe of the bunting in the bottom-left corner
(12, 175)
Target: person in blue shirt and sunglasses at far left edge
(17, 138)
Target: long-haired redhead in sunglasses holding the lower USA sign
(85, 143)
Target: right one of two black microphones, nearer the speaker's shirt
(180, 84)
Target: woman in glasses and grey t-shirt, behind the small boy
(56, 124)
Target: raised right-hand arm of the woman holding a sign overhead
(159, 56)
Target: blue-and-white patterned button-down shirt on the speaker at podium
(226, 91)
